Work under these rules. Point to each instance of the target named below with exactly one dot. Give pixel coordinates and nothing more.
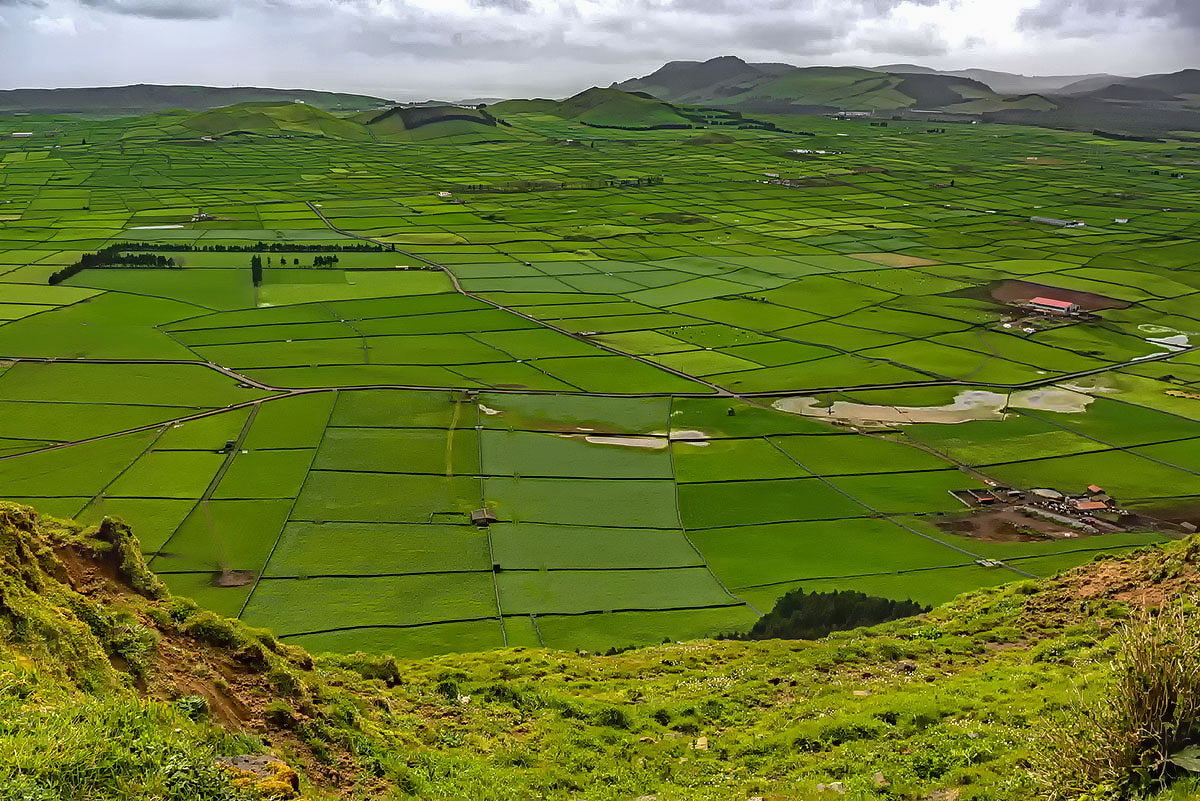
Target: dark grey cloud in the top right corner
(1085, 17)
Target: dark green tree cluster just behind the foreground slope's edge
(813, 616)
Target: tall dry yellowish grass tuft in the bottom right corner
(1121, 745)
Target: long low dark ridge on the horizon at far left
(143, 99)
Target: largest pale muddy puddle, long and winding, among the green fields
(968, 407)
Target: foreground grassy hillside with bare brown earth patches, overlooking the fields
(113, 690)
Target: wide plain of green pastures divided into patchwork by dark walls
(592, 363)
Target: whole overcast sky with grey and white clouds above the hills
(449, 50)
